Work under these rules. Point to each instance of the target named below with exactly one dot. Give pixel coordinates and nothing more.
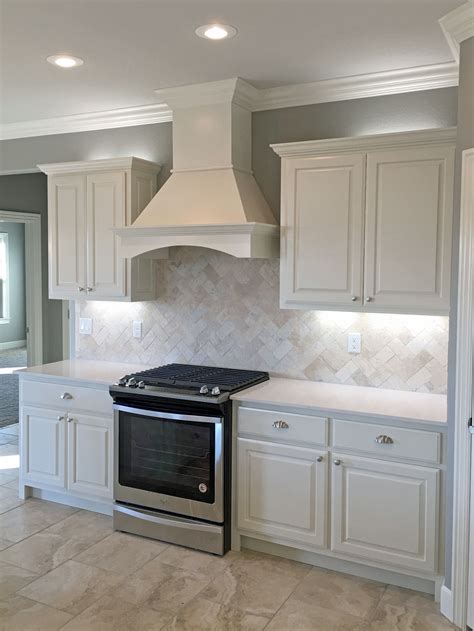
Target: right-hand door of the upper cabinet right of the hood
(409, 214)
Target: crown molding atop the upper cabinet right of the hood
(356, 144)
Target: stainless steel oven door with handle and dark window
(169, 462)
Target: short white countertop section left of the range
(83, 370)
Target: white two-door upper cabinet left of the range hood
(86, 201)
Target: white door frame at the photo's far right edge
(463, 397)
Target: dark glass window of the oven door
(167, 456)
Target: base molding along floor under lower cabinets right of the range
(419, 584)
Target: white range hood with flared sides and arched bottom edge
(211, 199)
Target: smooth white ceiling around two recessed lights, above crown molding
(131, 47)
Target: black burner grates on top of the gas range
(188, 376)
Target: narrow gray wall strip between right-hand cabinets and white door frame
(465, 140)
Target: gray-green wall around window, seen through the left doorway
(15, 330)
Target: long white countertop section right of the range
(333, 399)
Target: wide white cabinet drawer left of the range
(66, 397)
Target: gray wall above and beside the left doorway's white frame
(28, 193)
